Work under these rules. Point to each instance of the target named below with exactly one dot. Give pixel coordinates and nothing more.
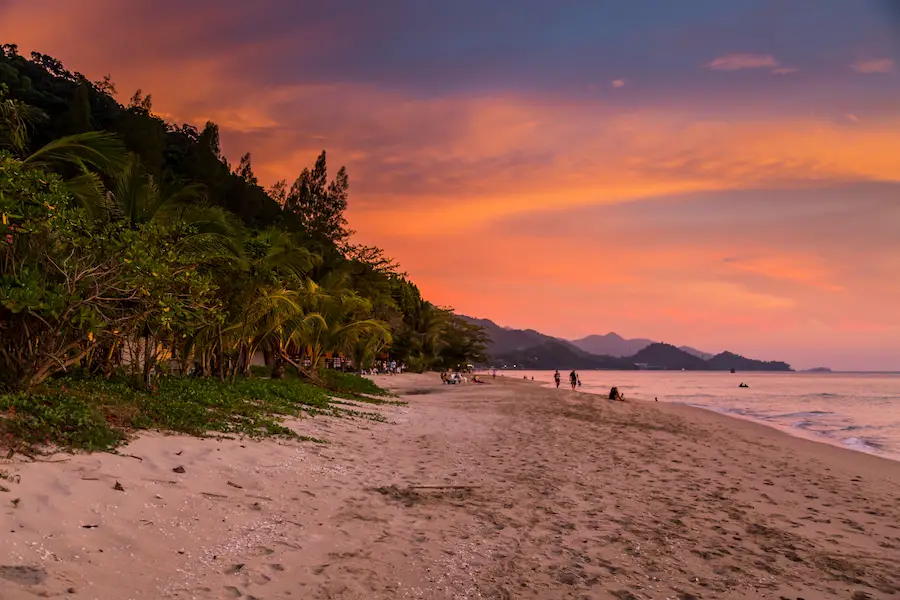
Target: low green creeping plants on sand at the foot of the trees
(89, 413)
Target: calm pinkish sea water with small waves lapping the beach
(860, 411)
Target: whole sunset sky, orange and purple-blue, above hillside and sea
(717, 173)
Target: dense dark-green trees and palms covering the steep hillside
(129, 245)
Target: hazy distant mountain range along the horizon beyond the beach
(527, 348)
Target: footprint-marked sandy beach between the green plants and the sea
(506, 490)
